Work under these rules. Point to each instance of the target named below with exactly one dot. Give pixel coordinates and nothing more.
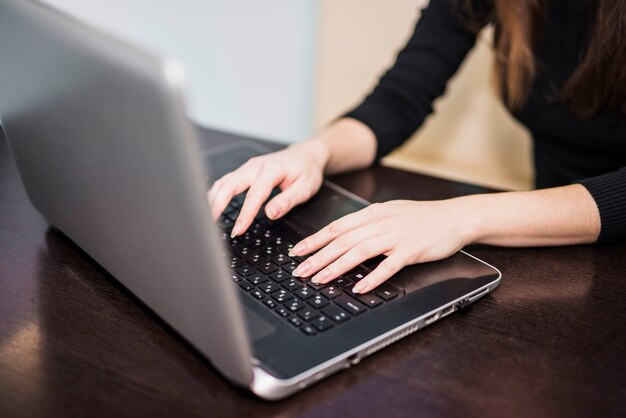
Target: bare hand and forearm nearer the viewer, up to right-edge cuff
(409, 232)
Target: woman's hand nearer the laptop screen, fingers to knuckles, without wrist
(297, 170)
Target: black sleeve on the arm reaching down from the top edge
(404, 95)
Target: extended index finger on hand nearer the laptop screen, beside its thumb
(259, 191)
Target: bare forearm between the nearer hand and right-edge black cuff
(558, 216)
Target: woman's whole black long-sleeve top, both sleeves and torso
(566, 148)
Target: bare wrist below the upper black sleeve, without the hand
(344, 146)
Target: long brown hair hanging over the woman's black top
(597, 85)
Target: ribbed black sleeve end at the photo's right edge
(609, 192)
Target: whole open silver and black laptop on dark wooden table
(109, 158)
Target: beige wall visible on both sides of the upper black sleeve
(470, 137)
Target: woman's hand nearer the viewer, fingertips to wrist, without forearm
(405, 231)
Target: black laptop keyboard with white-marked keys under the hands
(262, 268)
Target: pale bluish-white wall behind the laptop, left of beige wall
(249, 63)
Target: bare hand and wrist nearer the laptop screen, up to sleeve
(297, 170)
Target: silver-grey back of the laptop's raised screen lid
(107, 155)
